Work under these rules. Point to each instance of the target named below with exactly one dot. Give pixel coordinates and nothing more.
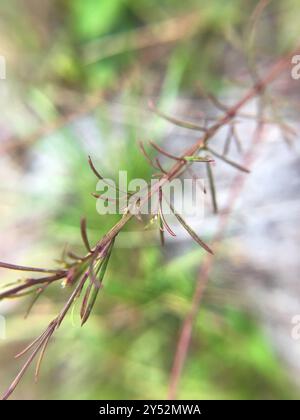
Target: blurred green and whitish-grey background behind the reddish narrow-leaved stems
(79, 75)
